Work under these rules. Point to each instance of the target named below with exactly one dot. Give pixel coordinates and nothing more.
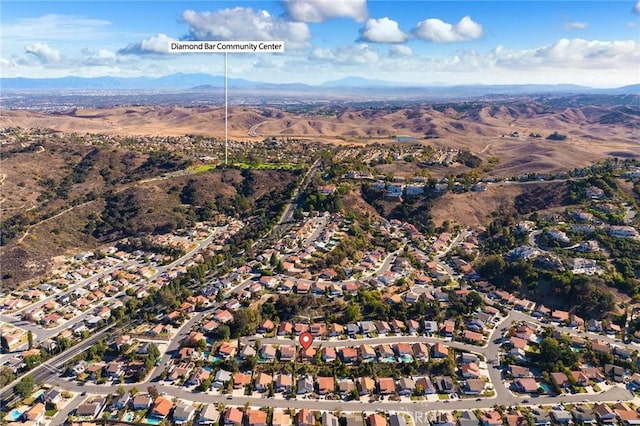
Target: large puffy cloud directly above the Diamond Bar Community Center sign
(244, 24)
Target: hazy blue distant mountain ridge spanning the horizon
(201, 81)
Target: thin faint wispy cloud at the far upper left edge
(54, 27)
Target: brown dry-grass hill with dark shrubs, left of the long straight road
(60, 197)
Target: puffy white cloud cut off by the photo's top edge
(322, 10)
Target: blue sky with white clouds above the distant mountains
(595, 43)
